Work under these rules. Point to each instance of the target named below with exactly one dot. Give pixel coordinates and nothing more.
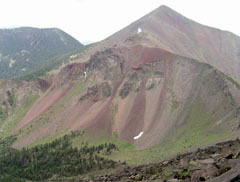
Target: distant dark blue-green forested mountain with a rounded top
(25, 50)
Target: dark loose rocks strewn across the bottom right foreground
(218, 163)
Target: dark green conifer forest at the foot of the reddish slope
(55, 158)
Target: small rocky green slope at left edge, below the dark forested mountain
(16, 97)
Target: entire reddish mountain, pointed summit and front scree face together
(163, 85)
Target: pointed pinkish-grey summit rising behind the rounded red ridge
(167, 29)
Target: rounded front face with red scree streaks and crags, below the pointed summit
(165, 96)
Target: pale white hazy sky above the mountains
(94, 20)
